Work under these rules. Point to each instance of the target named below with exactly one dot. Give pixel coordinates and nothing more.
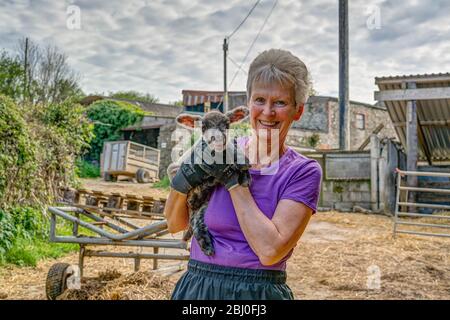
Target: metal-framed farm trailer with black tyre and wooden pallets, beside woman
(109, 219)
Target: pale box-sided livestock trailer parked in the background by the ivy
(127, 158)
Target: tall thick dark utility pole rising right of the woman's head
(344, 128)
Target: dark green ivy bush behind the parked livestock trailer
(110, 116)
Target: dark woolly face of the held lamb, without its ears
(214, 129)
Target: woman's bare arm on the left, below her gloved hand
(176, 212)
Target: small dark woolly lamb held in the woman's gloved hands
(212, 123)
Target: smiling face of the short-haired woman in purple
(272, 107)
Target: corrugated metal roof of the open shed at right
(433, 115)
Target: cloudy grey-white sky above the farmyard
(162, 47)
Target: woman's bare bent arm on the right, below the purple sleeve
(271, 240)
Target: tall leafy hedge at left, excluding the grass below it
(39, 144)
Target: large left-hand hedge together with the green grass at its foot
(39, 145)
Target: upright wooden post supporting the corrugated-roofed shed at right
(411, 144)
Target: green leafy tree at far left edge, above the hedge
(11, 76)
